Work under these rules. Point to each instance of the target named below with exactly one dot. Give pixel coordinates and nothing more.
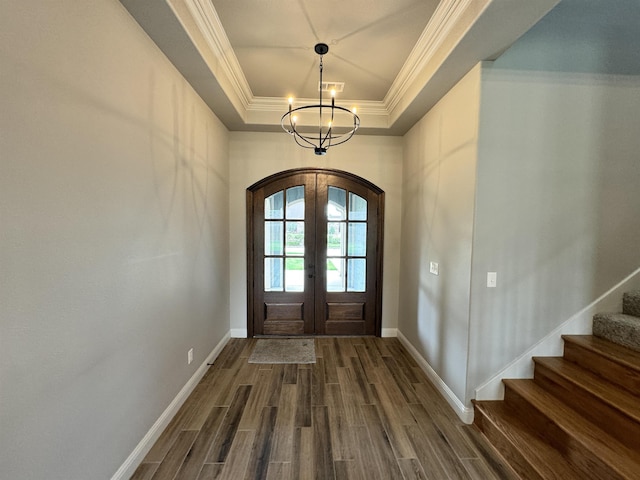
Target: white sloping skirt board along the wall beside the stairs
(552, 345)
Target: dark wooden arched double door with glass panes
(314, 254)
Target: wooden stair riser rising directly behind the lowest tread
(591, 466)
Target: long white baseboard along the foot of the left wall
(130, 465)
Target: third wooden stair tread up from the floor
(617, 398)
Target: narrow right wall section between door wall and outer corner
(438, 191)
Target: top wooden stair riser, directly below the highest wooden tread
(613, 371)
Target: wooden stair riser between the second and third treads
(609, 419)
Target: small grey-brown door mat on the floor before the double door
(284, 350)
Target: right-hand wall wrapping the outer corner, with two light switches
(533, 175)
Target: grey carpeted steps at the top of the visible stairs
(621, 328)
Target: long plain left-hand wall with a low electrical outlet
(113, 239)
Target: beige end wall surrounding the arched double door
(254, 156)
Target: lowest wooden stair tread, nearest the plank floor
(540, 455)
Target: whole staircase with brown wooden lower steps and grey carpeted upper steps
(579, 417)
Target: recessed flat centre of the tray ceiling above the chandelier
(369, 41)
